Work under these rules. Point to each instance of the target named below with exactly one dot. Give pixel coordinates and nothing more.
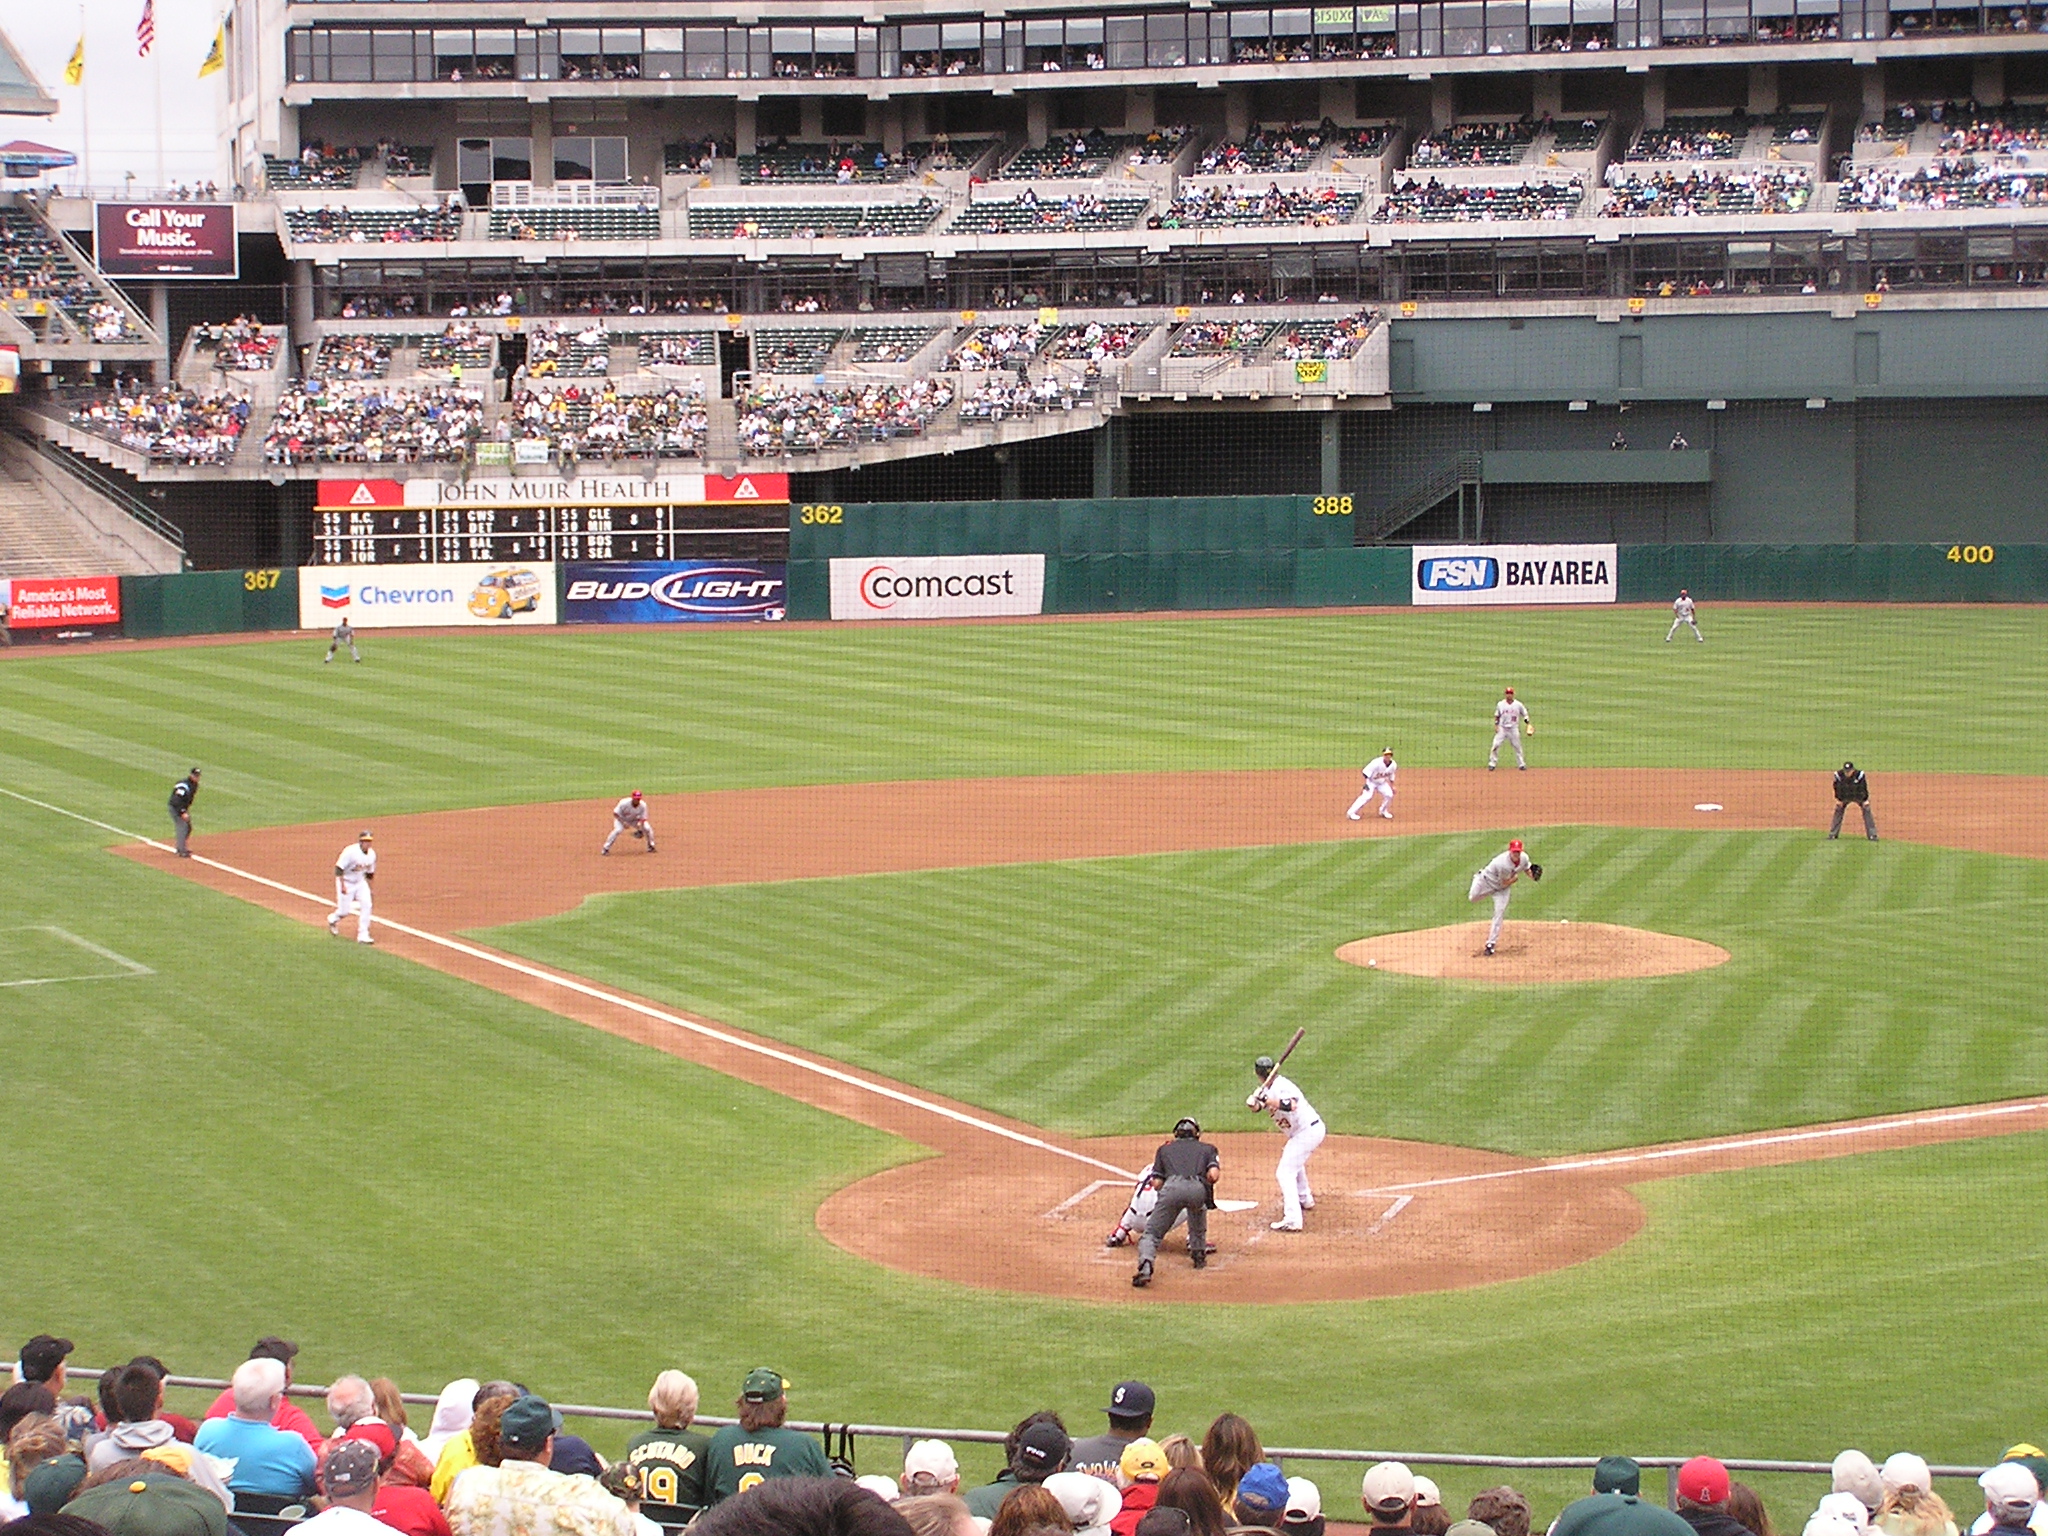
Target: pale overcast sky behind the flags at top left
(122, 87)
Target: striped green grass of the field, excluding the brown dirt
(409, 1175)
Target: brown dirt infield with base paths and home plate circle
(1392, 1218)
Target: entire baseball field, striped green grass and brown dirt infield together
(949, 925)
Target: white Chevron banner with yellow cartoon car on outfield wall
(400, 597)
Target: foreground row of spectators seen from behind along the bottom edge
(497, 1457)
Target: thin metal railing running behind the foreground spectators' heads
(904, 1435)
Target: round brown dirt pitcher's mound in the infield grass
(1535, 953)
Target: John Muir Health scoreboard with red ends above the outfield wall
(447, 523)
